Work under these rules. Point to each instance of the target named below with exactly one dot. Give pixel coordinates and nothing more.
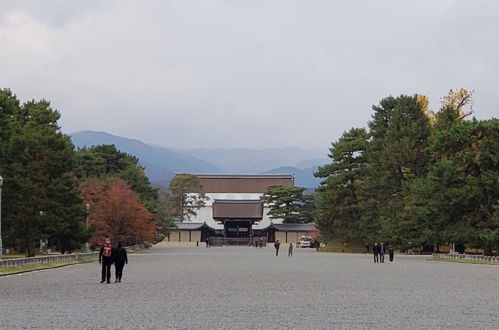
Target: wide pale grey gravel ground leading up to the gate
(248, 288)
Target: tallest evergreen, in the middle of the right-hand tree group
(397, 154)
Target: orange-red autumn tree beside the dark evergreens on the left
(115, 211)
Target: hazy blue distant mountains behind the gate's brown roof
(160, 163)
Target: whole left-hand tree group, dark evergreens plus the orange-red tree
(65, 196)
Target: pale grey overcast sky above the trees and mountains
(244, 73)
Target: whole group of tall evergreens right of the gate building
(414, 176)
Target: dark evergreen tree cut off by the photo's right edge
(456, 201)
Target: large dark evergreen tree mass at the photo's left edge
(40, 196)
